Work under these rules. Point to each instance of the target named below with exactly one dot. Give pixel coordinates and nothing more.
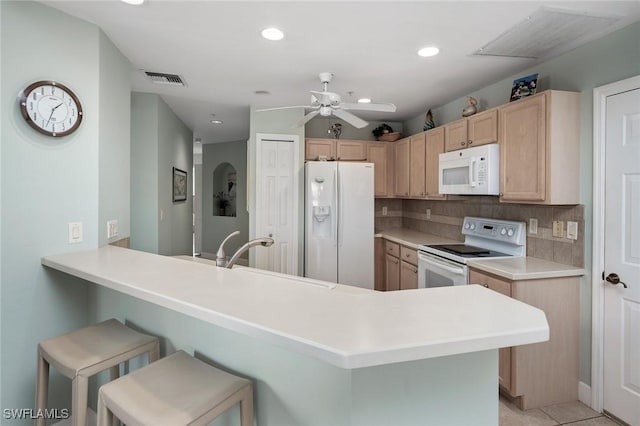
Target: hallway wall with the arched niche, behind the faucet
(216, 228)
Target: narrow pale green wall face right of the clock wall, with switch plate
(115, 146)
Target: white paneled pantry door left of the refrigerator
(277, 203)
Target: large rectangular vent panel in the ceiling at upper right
(547, 32)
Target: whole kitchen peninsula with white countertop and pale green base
(326, 354)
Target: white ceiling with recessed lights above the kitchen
(370, 47)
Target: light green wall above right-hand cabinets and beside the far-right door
(600, 62)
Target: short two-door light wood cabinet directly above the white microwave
(479, 129)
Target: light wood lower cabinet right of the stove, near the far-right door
(544, 373)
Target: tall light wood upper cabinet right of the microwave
(539, 149)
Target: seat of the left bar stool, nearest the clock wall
(85, 351)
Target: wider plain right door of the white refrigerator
(355, 224)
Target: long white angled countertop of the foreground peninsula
(345, 326)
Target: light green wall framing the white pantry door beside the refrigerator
(276, 122)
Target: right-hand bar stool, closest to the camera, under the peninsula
(177, 390)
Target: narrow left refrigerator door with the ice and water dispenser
(321, 248)
